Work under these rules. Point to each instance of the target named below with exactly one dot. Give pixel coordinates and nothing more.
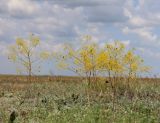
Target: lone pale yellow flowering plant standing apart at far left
(24, 53)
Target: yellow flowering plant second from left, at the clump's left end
(81, 60)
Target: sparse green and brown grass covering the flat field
(73, 102)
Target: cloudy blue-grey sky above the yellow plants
(135, 22)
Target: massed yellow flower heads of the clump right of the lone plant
(113, 58)
